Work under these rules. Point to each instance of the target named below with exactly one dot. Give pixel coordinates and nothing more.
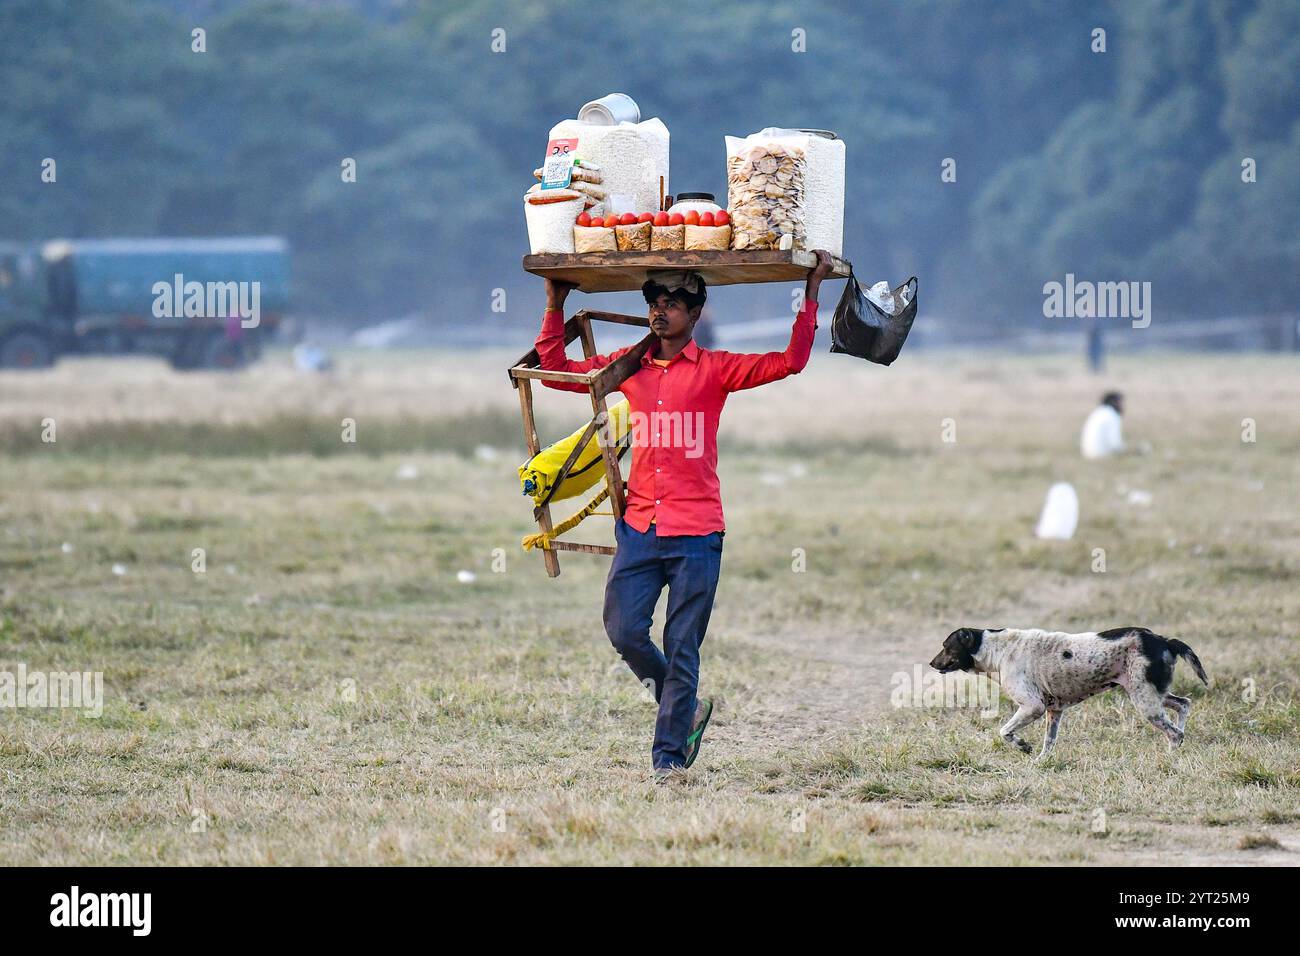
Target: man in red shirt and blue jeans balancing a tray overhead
(671, 533)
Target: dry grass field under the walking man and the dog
(331, 691)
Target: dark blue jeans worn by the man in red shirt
(643, 566)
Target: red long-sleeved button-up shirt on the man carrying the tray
(674, 414)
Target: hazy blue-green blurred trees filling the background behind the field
(1115, 166)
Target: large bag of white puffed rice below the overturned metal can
(631, 157)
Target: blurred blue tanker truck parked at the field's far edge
(201, 304)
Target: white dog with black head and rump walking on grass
(1046, 672)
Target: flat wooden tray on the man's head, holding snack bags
(618, 272)
